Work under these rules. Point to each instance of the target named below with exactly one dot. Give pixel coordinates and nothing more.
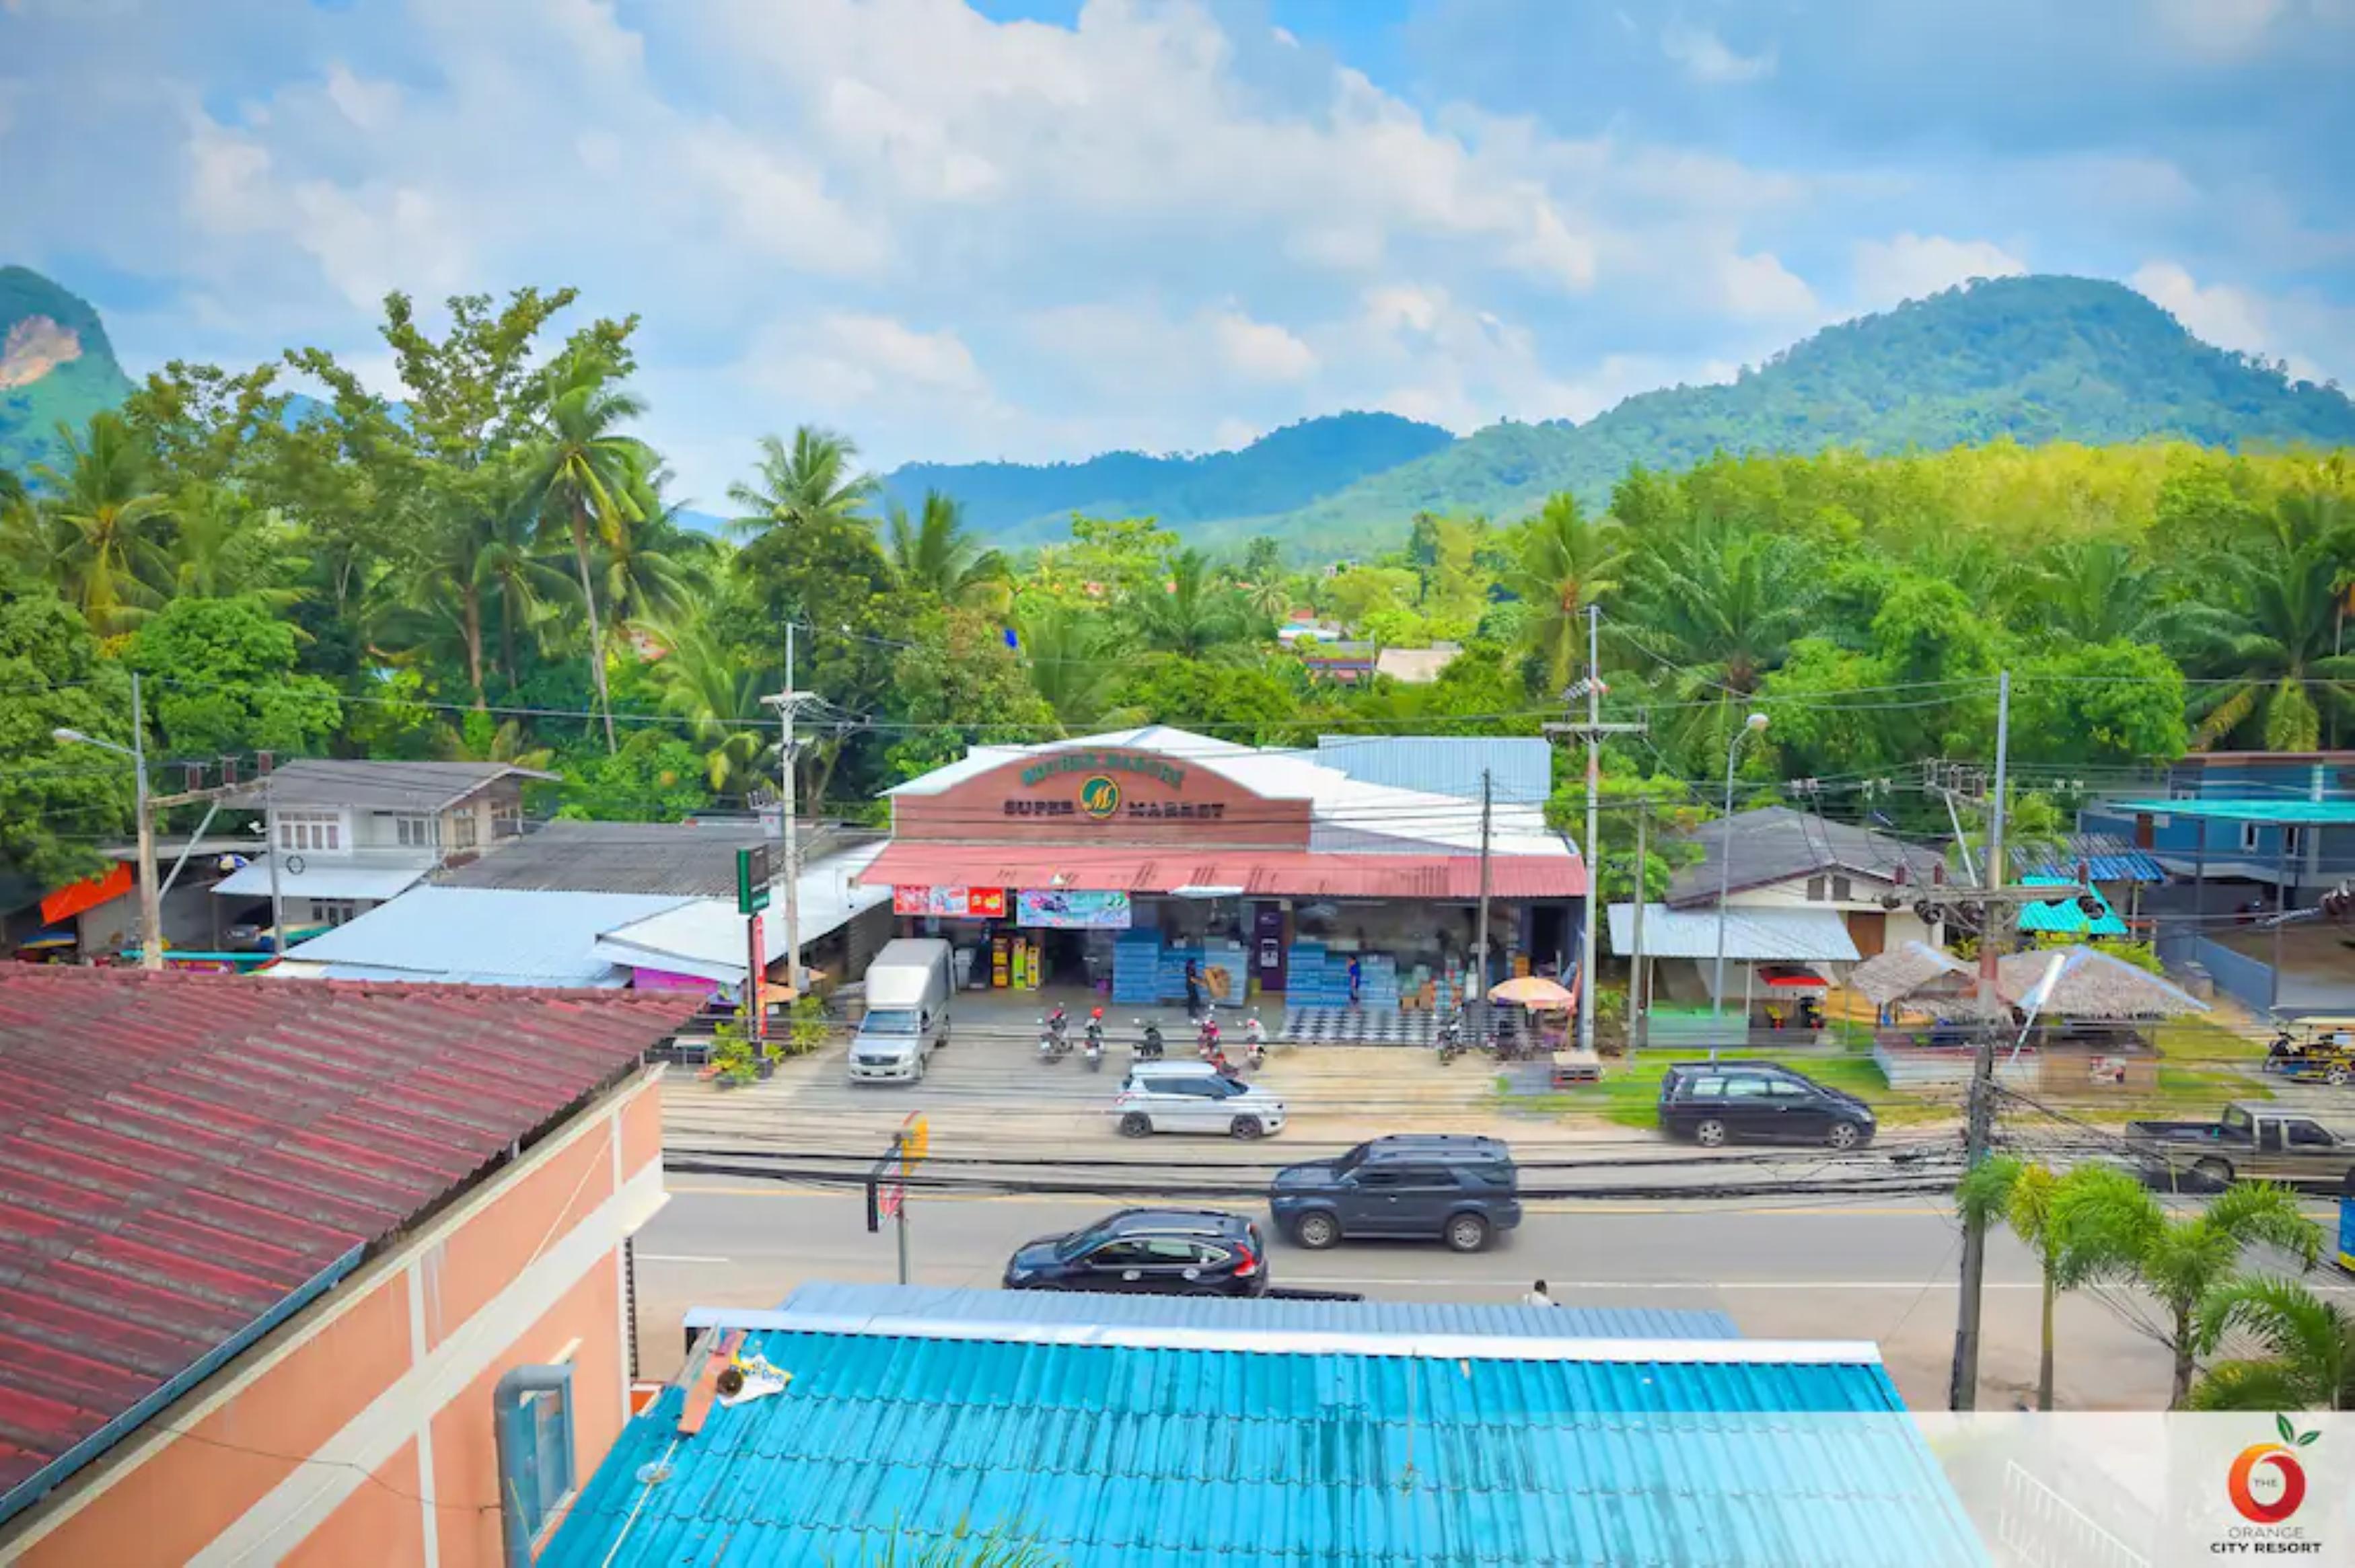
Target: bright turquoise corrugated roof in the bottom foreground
(1148, 1456)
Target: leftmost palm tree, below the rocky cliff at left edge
(102, 526)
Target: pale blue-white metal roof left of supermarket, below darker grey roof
(482, 936)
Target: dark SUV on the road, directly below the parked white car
(1459, 1190)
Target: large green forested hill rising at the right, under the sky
(2034, 359)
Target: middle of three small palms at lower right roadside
(2182, 1263)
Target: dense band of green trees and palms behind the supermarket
(496, 571)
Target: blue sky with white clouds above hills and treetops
(1042, 230)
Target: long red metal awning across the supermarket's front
(1249, 872)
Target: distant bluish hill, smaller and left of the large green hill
(1280, 472)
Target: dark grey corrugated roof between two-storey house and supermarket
(679, 858)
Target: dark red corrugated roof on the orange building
(183, 1152)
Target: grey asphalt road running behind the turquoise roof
(1800, 1268)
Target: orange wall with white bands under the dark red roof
(361, 1433)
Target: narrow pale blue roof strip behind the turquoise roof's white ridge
(950, 1305)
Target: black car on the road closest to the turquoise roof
(1157, 1251)
